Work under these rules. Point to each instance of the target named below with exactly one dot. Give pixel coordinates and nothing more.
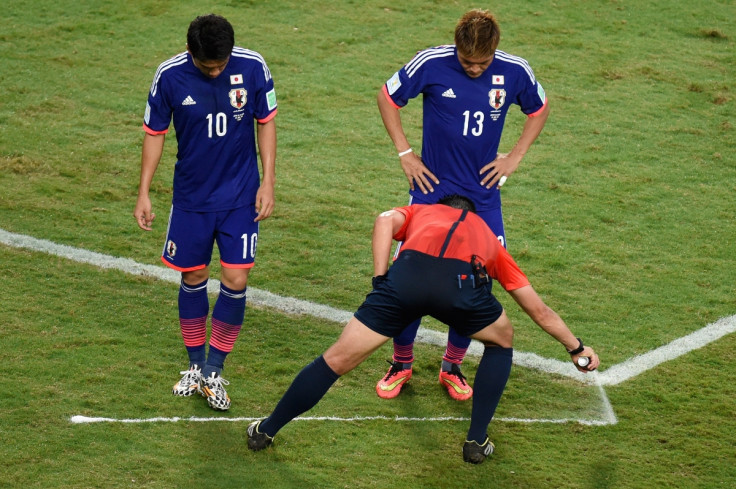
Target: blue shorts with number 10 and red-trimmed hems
(191, 236)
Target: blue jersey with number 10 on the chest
(217, 164)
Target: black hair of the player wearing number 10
(210, 38)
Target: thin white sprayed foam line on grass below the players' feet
(91, 420)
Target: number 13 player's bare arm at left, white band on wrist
(411, 163)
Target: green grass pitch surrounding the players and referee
(622, 215)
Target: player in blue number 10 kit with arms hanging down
(219, 96)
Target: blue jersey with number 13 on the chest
(463, 117)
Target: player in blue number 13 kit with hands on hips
(467, 91)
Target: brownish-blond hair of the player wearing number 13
(477, 34)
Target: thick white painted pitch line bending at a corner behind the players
(612, 376)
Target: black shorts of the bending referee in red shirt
(419, 285)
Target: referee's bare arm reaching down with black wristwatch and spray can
(552, 323)
